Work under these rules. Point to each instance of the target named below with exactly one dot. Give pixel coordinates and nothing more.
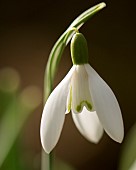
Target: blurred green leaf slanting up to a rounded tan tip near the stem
(15, 117)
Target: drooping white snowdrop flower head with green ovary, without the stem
(93, 105)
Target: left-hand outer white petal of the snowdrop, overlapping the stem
(54, 114)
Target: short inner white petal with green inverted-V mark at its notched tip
(80, 90)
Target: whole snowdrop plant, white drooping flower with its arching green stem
(92, 103)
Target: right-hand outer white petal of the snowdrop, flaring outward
(106, 105)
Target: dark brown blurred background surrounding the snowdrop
(28, 31)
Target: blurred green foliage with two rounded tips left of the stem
(15, 107)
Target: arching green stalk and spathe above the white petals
(58, 48)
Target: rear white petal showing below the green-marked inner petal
(89, 125)
